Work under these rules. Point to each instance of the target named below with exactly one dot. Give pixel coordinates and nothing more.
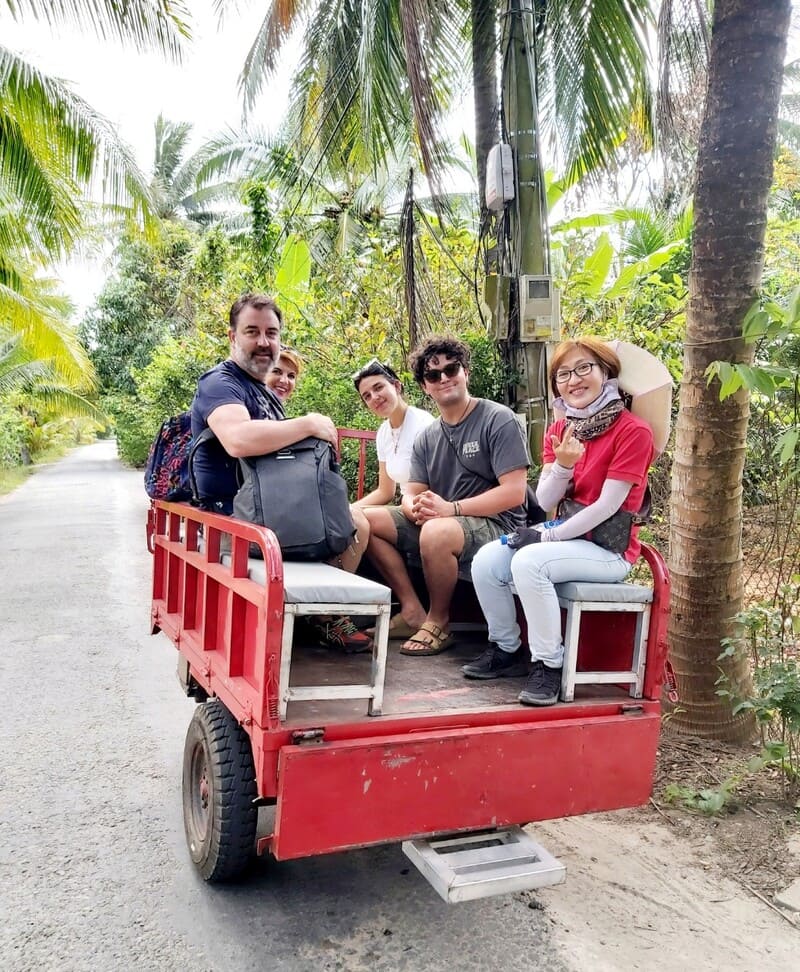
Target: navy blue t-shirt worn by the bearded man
(214, 470)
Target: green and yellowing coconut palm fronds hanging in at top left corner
(53, 147)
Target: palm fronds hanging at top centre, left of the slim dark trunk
(374, 79)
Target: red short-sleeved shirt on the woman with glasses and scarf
(624, 451)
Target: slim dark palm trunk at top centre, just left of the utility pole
(484, 81)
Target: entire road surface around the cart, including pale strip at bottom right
(94, 873)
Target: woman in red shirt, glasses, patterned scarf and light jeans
(598, 456)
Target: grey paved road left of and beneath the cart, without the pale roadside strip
(94, 874)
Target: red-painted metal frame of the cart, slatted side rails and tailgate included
(372, 780)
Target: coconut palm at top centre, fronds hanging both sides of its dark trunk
(394, 65)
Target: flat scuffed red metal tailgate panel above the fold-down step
(354, 793)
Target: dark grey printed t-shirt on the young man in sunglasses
(489, 442)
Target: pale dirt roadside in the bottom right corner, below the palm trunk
(659, 887)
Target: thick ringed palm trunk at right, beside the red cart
(734, 173)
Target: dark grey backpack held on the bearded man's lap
(299, 494)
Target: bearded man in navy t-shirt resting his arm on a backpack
(247, 419)
